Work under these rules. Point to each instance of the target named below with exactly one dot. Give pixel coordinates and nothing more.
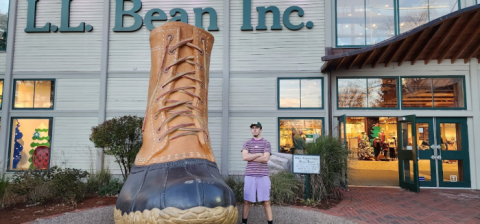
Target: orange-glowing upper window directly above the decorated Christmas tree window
(34, 94)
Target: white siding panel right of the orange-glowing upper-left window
(77, 94)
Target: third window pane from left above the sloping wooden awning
(413, 13)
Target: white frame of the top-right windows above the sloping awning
(396, 19)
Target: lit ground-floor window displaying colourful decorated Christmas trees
(30, 143)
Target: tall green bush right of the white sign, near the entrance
(333, 166)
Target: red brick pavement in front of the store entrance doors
(396, 206)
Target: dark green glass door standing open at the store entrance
(407, 153)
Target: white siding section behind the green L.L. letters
(59, 51)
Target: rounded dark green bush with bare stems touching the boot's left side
(120, 137)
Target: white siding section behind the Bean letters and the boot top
(131, 50)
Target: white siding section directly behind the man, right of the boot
(240, 132)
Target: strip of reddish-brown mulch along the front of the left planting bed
(20, 213)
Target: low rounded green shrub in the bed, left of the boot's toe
(67, 185)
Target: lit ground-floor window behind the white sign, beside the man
(296, 132)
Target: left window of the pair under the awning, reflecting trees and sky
(367, 93)
